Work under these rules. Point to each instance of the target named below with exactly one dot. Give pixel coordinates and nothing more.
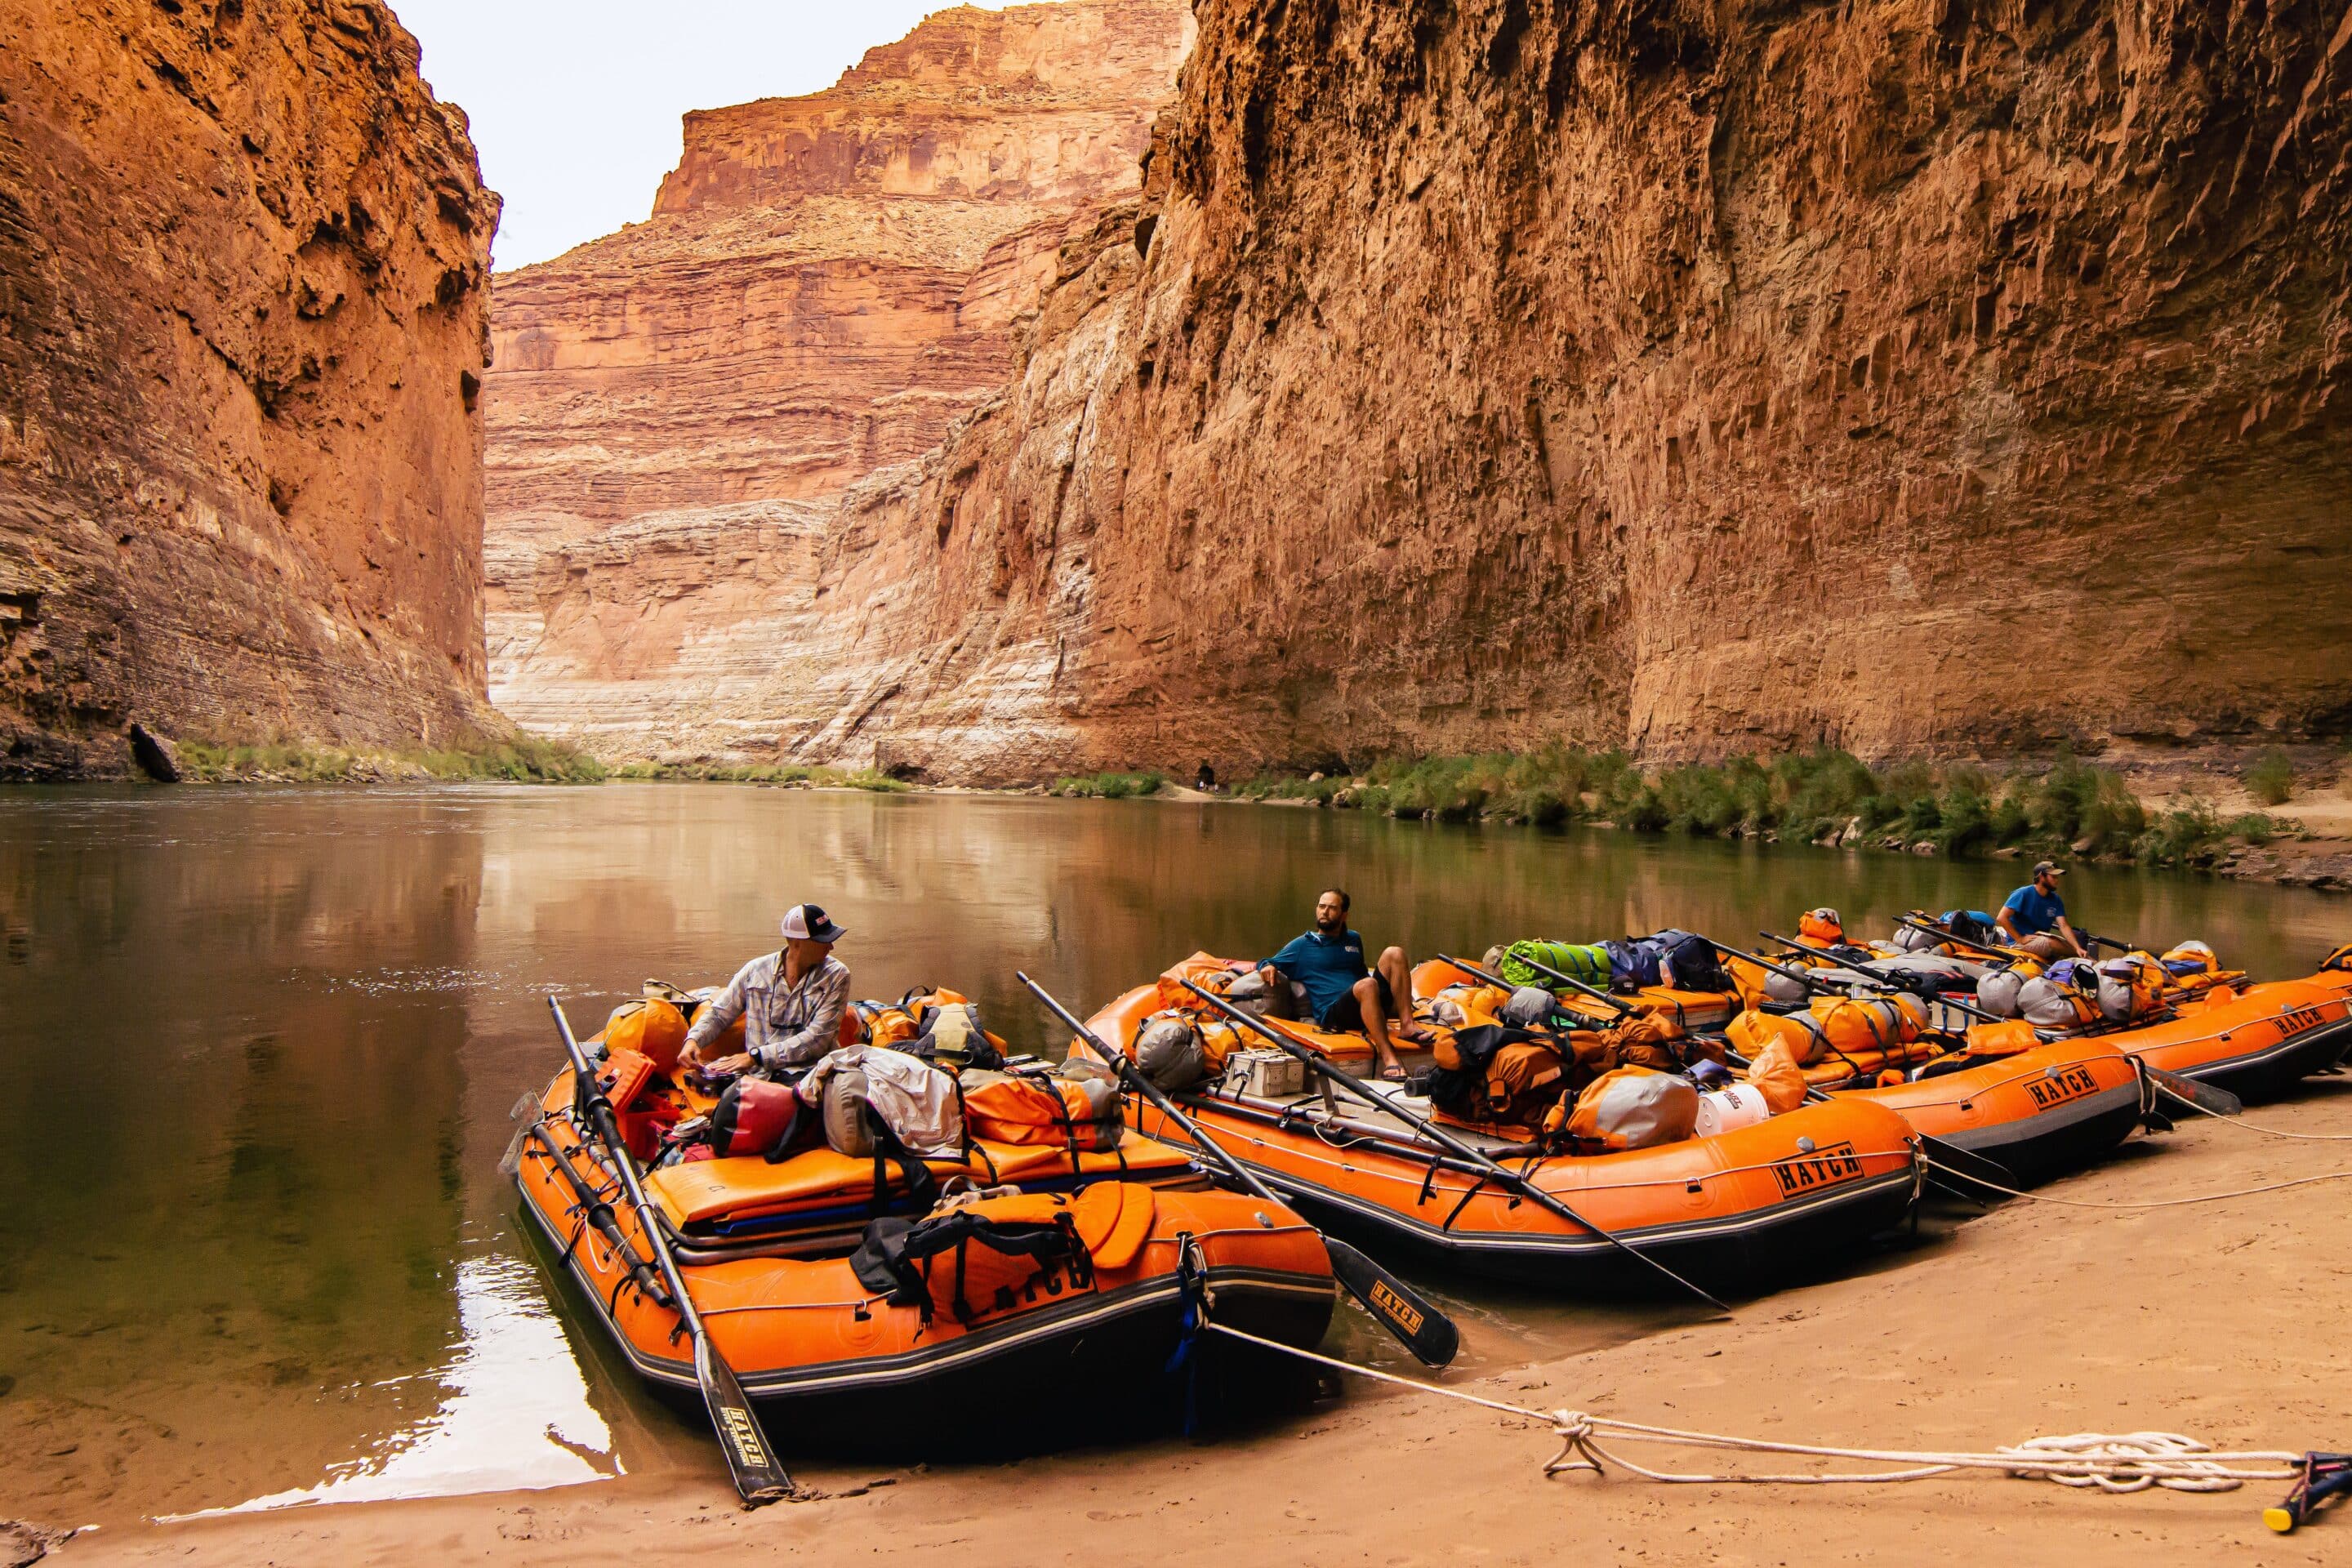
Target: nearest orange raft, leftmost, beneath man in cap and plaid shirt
(768, 1257)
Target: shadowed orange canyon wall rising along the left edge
(243, 319)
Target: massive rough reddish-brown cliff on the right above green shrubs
(1925, 377)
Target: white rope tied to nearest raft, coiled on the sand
(2116, 1463)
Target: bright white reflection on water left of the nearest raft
(514, 1409)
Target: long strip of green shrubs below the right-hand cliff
(1824, 798)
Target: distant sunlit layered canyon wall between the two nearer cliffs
(822, 290)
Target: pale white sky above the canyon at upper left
(575, 105)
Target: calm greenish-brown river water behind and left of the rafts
(265, 1045)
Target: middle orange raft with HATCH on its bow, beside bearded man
(1737, 1212)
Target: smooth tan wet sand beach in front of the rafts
(2221, 1322)
